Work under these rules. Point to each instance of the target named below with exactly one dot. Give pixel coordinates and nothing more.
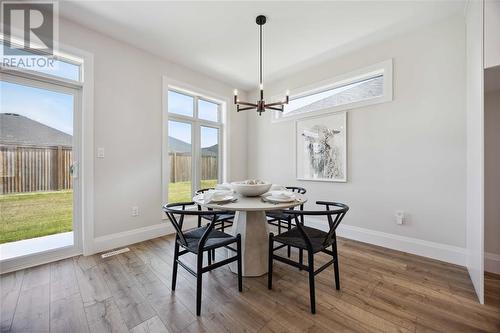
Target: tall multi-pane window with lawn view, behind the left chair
(194, 144)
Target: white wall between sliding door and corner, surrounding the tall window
(128, 124)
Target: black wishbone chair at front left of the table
(198, 241)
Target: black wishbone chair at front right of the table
(311, 240)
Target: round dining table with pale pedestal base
(251, 223)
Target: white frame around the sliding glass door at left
(84, 242)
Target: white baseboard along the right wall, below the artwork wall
(438, 251)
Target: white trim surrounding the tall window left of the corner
(221, 124)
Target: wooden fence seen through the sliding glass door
(34, 168)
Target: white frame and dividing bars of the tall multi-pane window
(196, 124)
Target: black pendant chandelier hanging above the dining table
(261, 105)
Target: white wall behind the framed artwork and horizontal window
(408, 154)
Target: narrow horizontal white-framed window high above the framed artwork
(368, 86)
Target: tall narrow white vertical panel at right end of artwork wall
(474, 14)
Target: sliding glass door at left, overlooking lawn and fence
(38, 167)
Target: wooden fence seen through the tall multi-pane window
(180, 167)
